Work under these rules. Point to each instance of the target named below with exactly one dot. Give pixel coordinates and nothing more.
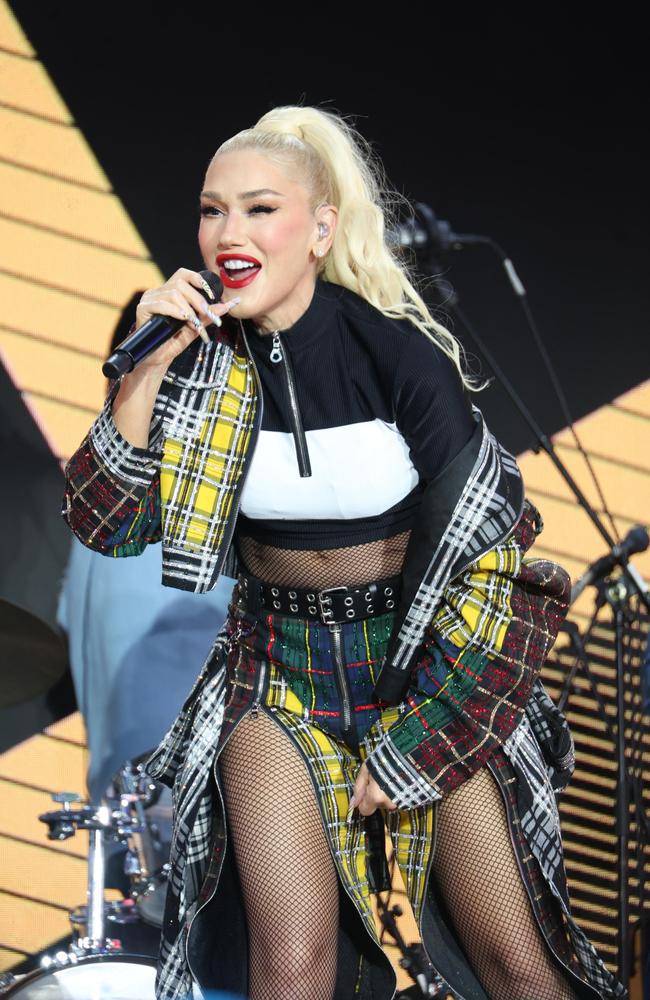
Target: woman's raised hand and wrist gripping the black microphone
(184, 296)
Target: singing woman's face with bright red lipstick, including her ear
(259, 233)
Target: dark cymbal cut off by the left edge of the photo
(32, 656)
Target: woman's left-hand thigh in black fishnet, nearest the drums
(288, 878)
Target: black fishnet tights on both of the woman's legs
(290, 888)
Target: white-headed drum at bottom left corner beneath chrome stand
(95, 977)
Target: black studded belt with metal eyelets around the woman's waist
(332, 606)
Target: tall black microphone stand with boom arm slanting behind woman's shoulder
(630, 583)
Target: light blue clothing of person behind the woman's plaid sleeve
(134, 647)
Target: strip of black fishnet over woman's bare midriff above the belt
(345, 567)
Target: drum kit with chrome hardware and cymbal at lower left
(114, 945)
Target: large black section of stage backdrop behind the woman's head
(533, 136)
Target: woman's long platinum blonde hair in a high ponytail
(340, 168)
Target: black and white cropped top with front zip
(359, 412)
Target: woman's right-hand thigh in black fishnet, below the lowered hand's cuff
(476, 869)
